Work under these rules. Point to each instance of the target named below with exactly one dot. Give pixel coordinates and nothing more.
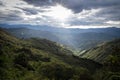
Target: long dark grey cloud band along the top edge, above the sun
(76, 5)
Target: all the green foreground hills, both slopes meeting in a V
(41, 59)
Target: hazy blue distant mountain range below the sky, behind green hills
(79, 39)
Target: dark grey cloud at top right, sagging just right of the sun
(78, 5)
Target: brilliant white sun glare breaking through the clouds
(59, 12)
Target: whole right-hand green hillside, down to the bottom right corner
(109, 55)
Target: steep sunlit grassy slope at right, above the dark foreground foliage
(103, 51)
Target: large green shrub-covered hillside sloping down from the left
(41, 59)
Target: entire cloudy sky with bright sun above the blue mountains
(61, 13)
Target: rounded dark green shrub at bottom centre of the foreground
(56, 71)
